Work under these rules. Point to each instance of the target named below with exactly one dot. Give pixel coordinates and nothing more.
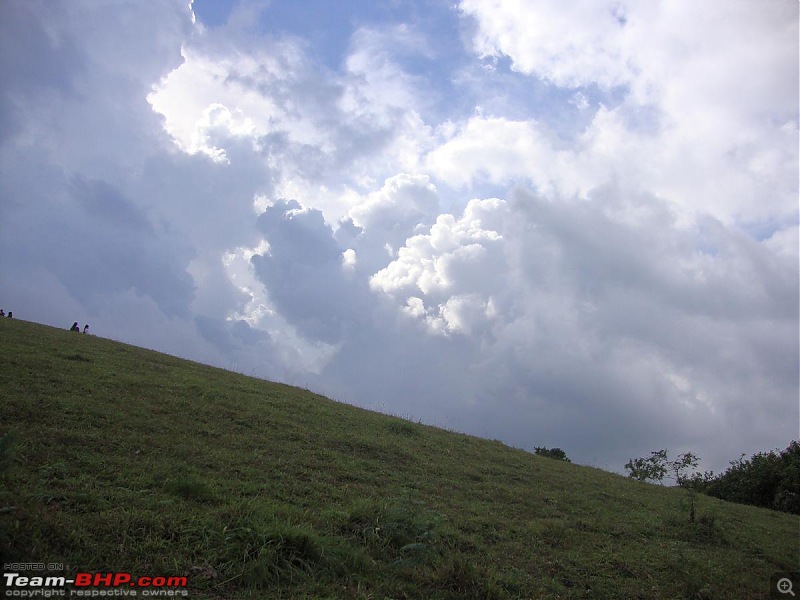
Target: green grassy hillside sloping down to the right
(124, 459)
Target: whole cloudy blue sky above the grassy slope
(552, 224)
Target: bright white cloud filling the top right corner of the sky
(711, 143)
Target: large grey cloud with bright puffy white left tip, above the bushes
(599, 314)
